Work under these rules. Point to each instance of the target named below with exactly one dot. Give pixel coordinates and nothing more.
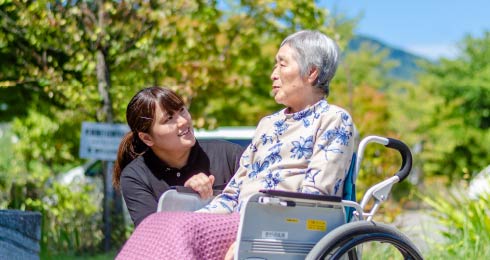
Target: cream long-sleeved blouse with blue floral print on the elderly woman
(309, 151)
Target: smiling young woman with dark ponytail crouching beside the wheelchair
(161, 151)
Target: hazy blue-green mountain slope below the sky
(407, 67)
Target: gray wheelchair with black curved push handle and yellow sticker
(290, 225)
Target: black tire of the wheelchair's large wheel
(342, 240)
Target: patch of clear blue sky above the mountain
(430, 28)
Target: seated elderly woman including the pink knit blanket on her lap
(305, 147)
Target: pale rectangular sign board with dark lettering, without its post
(101, 140)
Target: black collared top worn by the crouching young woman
(146, 178)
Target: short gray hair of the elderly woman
(315, 50)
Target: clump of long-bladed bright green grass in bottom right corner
(466, 225)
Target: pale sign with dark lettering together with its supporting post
(100, 141)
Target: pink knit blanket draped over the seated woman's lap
(182, 235)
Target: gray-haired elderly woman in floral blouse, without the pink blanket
(308, 145)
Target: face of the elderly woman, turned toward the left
(288, 87)
